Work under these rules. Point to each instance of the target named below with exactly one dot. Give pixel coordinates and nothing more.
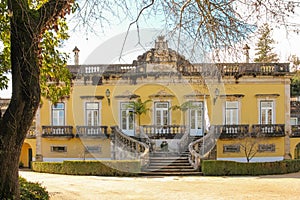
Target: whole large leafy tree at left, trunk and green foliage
(31, 34)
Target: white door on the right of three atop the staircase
(196, 119)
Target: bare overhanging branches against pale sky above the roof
(201, 26)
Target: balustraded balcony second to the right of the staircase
(268, 130)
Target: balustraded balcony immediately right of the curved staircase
(232, 131)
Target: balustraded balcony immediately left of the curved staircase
(91, 132)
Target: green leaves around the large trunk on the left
(55, 78)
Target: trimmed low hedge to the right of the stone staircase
(224, 168)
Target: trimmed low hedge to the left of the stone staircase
(100, 168)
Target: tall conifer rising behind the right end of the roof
(264, 46)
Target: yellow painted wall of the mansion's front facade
(247, 86)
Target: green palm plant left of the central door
(138, 108)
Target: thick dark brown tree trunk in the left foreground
(23, 105)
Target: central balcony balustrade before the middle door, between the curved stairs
(164, 131)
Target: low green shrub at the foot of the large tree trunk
(32, 191)
